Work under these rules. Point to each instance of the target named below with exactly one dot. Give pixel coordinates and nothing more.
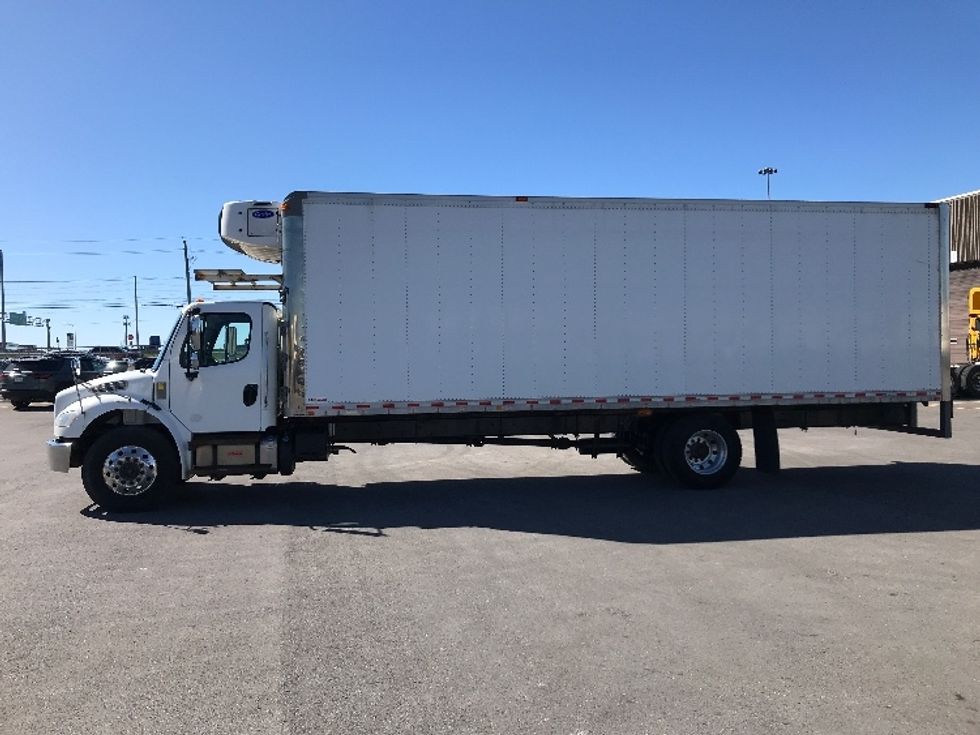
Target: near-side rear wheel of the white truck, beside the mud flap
(701, 452)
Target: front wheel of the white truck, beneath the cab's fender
(129, 469)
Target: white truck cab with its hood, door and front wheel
(206, 407)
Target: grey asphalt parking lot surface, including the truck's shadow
(424, 589)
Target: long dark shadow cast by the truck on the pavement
(629, 508)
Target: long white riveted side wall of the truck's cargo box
(416, 298)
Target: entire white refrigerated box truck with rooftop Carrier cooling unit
(652, 329)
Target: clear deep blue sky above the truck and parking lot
(125, 126)
